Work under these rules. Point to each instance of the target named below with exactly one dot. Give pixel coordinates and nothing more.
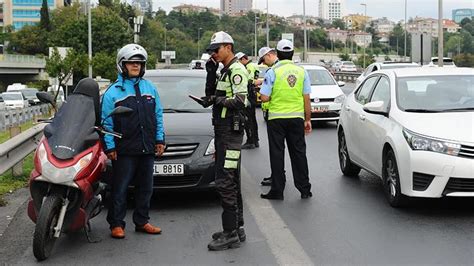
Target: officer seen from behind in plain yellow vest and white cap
(287, 87)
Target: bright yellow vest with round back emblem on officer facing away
(287, 100)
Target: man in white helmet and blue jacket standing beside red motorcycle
(143, 136)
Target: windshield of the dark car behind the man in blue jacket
(174, 92)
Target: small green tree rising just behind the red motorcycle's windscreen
(63, 68)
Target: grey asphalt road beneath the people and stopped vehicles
(348, 221)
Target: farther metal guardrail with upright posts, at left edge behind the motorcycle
(12, 117)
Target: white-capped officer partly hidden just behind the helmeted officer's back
(251, 127)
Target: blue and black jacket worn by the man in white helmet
(143, 128)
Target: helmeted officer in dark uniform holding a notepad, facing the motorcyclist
(229, 99)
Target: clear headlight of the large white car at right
(418, 142)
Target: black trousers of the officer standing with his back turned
(291, 130)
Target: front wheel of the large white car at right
(391, 179)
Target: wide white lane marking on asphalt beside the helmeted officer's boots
(283, 244)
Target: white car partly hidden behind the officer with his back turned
(326, 94)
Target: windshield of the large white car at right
(436, 93)
